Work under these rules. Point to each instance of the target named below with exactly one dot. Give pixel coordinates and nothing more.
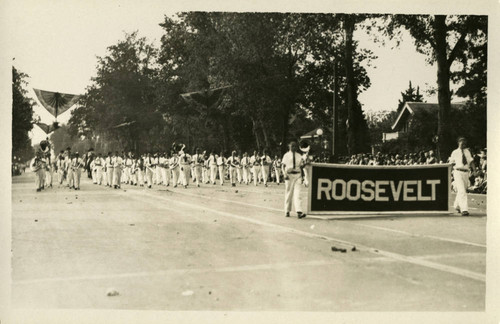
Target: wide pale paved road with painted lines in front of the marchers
(223, 248)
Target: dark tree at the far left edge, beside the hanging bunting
(22, 116)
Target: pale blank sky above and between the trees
(56, 44)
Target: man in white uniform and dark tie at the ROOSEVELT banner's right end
(462, 161)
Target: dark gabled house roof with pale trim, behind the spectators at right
(403, 121)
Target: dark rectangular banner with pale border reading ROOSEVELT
(346, 189)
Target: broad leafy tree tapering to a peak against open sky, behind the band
(120, 107)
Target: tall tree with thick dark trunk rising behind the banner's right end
(444, 39)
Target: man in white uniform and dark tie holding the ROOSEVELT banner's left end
(291, 165)
